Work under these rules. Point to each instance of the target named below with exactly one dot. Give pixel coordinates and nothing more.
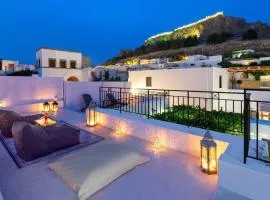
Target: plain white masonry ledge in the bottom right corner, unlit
(249, 181)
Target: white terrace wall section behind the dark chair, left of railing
(74, 91)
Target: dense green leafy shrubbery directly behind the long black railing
(225, 122)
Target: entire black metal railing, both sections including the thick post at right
(237, 113)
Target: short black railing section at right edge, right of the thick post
(257, 124)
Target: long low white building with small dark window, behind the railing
(199, 79)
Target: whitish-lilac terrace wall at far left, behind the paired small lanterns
(29, 92)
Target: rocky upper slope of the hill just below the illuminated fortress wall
(217, 23)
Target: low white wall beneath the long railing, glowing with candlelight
(174, 136)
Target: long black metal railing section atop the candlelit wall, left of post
(219, 111)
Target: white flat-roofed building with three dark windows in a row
(71, 65)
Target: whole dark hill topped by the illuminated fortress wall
(215, 34)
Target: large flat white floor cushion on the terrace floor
(96, 166)
